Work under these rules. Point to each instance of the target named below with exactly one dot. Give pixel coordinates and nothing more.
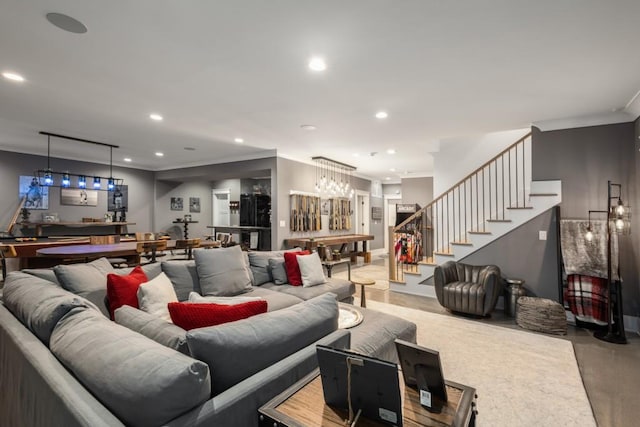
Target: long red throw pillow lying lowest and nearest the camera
(190, 315)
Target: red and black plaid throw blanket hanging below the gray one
(587, 298)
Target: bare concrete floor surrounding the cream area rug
(610, 372)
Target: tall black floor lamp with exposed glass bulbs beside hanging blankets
(618, 221)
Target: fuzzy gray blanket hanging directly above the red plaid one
(587, 258)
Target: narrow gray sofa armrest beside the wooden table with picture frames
(239, 404)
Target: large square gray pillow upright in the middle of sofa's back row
(223, 271)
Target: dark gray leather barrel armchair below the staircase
(471, 289)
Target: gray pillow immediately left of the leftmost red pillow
(87, 280)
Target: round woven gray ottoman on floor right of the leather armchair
(541, 315)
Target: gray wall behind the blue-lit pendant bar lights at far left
(140, 188)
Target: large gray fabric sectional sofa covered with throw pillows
(64, 363)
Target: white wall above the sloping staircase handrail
(460, 156)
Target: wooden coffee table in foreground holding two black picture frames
(302, 404)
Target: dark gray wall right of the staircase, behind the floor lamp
(584, 159)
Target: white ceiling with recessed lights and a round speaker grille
(217, 70)
